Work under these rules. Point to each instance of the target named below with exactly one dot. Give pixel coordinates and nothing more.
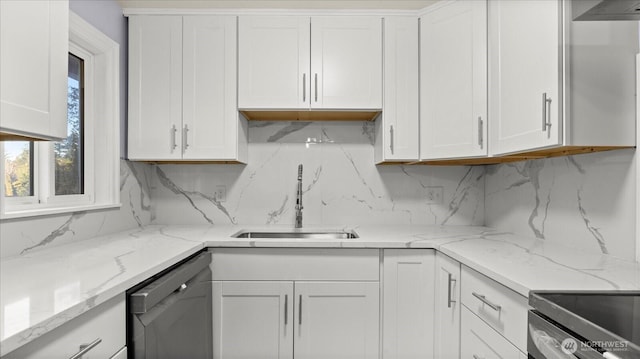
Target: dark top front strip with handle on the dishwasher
(146, 298)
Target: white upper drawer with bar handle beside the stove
(501, 308)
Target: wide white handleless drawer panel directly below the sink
(295, 264)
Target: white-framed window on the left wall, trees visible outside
(54, 177)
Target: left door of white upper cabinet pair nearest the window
(155, 87)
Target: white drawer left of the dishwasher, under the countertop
(106, 322)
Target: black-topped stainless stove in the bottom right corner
(584, 324)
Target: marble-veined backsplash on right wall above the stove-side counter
(585, 201)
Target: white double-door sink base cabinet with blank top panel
(266, 304)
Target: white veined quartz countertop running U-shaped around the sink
(43, 289)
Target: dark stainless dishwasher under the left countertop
(170, 316)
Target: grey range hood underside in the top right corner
(606, 10)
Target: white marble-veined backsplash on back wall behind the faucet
(341, 184)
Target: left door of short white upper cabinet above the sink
(273, 62)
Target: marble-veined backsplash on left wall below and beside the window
(21, 236)
